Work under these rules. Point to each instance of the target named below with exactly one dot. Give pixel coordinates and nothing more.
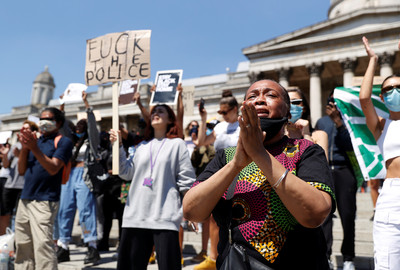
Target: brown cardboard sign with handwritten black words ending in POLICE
(117, 57)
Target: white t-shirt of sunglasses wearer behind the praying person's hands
(227, 135)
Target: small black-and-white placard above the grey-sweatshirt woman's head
(166, 84)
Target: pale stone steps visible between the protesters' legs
(192, 243)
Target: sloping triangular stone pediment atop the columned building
(354, 25)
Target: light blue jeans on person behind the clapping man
(75, 194)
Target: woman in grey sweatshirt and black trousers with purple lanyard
(161, 172)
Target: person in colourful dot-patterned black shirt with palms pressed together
(273, 192)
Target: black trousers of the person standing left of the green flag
(345, 192)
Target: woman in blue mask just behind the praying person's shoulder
(299, 125)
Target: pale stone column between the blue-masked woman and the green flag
(315, 92)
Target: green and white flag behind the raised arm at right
(366, 150)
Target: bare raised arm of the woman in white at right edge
(372, 118)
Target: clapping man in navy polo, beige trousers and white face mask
(41, 162)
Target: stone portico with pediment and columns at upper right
(328, 54)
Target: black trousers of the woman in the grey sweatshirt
(137, 244)
